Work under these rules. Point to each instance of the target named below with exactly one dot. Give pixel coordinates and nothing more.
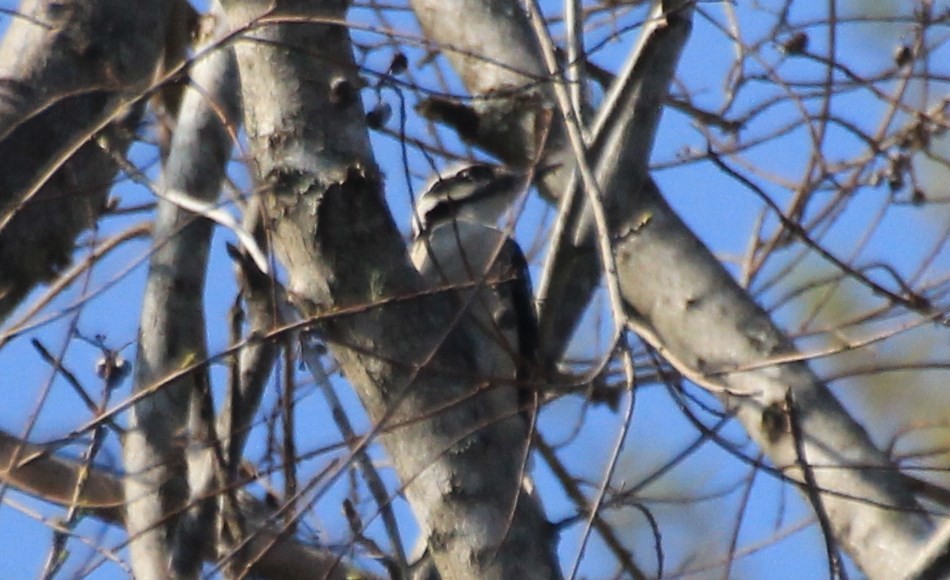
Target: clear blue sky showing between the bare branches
(721, 212)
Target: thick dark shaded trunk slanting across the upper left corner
(69, 99)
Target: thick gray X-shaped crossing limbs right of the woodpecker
(685, 304)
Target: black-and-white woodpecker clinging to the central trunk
(457, 242)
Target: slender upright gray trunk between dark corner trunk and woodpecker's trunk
(168, 520)
